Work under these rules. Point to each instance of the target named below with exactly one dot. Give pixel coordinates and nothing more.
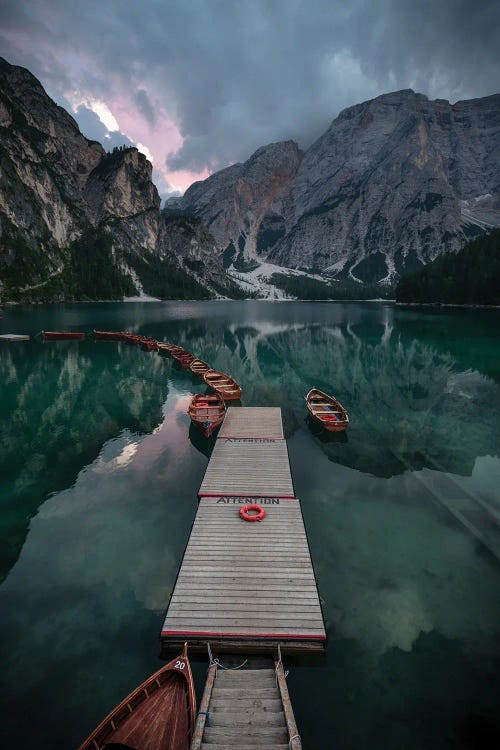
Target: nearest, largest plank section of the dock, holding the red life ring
(246, 580)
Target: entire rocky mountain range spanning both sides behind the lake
(392, 183)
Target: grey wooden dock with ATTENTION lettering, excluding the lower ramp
(242, 585)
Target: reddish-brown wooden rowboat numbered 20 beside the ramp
(158, 715)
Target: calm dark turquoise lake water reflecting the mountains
(99, 472)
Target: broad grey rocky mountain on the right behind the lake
(391, 184)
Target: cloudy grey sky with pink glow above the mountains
(200, 84)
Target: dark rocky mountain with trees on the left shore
(78, 222)
